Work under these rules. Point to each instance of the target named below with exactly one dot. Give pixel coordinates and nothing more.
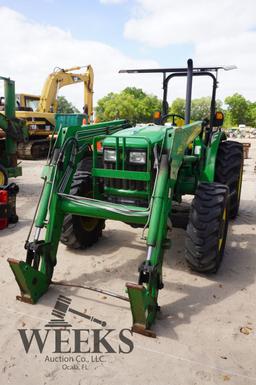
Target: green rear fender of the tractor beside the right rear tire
(211, 156)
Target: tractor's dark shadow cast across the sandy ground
(237, 272)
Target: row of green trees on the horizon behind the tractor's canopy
(135, 105)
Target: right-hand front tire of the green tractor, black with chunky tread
(207, 227)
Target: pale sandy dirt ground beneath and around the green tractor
(206, 331)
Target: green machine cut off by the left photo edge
(12, 131)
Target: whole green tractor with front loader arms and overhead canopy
(137, 175)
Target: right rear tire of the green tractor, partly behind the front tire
(229, 171)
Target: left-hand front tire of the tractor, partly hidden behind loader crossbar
(79, 232)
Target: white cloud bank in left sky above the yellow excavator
(30, 51)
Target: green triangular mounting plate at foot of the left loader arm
(32, 283)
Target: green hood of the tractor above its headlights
(152, 134)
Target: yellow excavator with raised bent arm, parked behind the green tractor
(39, 112)
